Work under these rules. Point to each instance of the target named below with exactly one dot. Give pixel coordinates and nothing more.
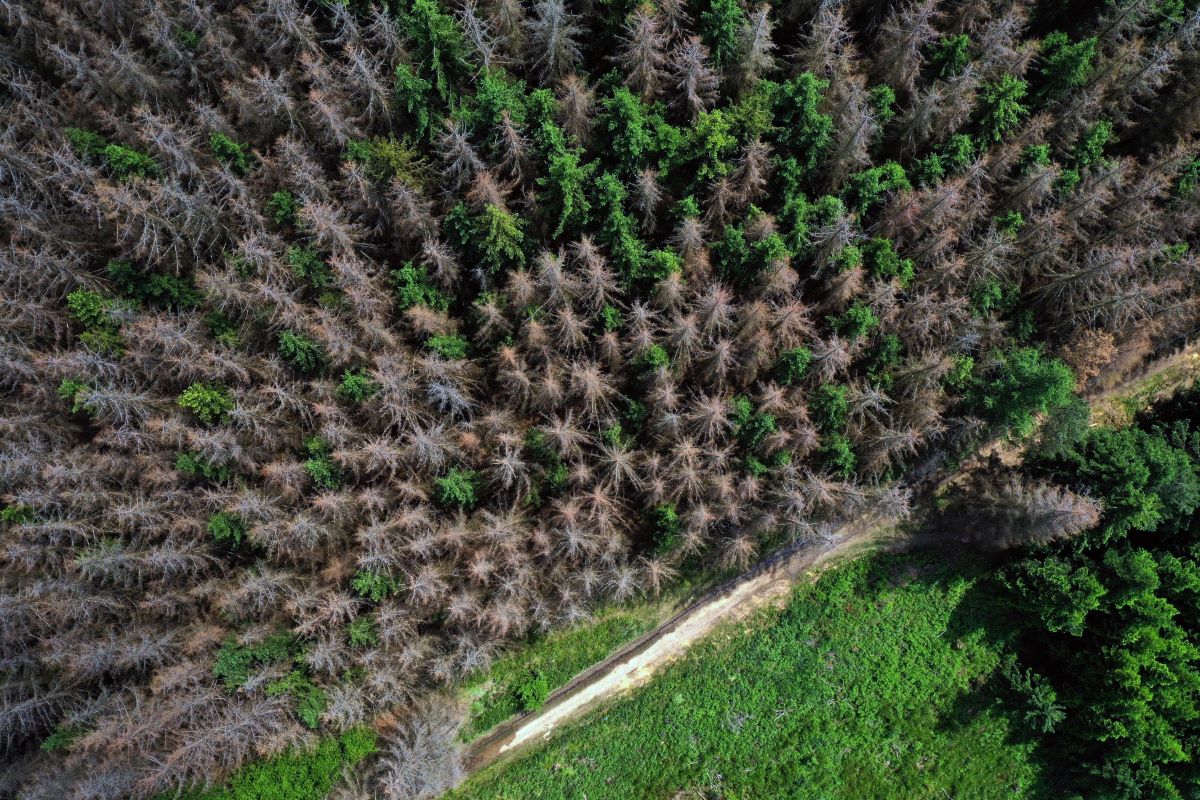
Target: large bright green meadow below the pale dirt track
(872, 684)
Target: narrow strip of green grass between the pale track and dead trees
(557, 657)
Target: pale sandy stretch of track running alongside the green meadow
(635, 664)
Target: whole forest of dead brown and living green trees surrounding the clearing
(347, 342)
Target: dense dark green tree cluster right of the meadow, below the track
(1109, 643)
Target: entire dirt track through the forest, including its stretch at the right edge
(770, 582)
